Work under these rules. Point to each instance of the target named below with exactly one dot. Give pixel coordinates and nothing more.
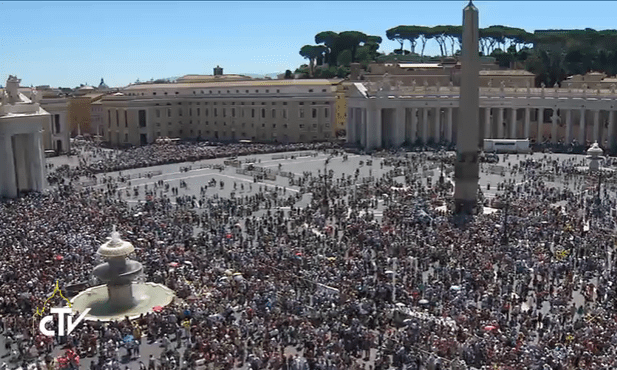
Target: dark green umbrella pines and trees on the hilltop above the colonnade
(550, 54)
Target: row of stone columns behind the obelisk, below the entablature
(375, 127)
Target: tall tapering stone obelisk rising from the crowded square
(466, 169)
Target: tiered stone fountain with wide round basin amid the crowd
(121, 296)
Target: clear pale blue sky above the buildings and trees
(69, 43)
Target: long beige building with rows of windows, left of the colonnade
(223, 109)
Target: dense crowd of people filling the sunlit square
(330, 285)
